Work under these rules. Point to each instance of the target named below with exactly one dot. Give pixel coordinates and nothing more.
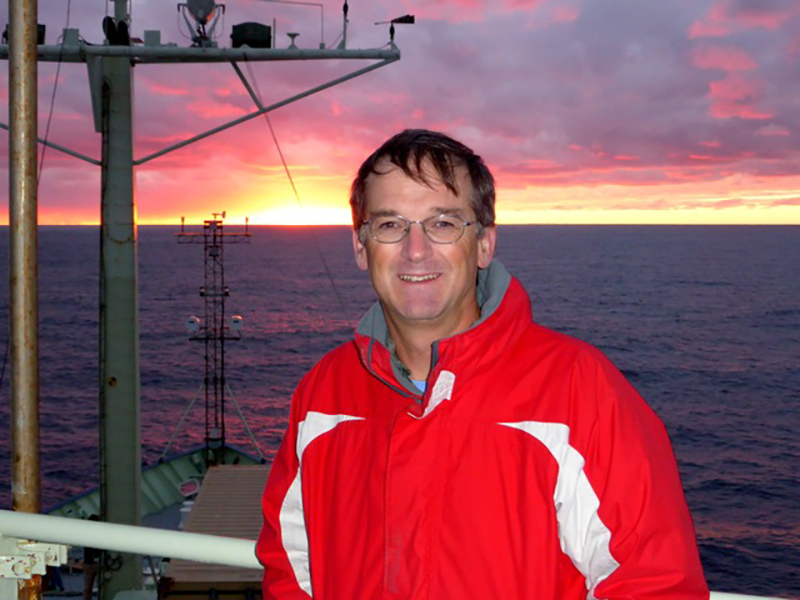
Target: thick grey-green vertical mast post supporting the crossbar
(120, 453)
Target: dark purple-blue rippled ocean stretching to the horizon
(703, 320)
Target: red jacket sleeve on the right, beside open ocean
(631, 466)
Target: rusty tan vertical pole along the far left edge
(23, 284)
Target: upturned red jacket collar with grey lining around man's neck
(504, 306)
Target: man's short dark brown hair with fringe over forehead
(412, 150)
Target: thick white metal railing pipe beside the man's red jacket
(158, 542)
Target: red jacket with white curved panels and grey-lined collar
(529, 469)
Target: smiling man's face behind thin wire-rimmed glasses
(423, 285)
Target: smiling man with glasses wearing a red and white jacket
(456, 449)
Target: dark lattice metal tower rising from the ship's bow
(214, 330)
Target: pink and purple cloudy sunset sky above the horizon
(586, 111)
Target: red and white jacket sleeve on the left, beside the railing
(282, 545)
